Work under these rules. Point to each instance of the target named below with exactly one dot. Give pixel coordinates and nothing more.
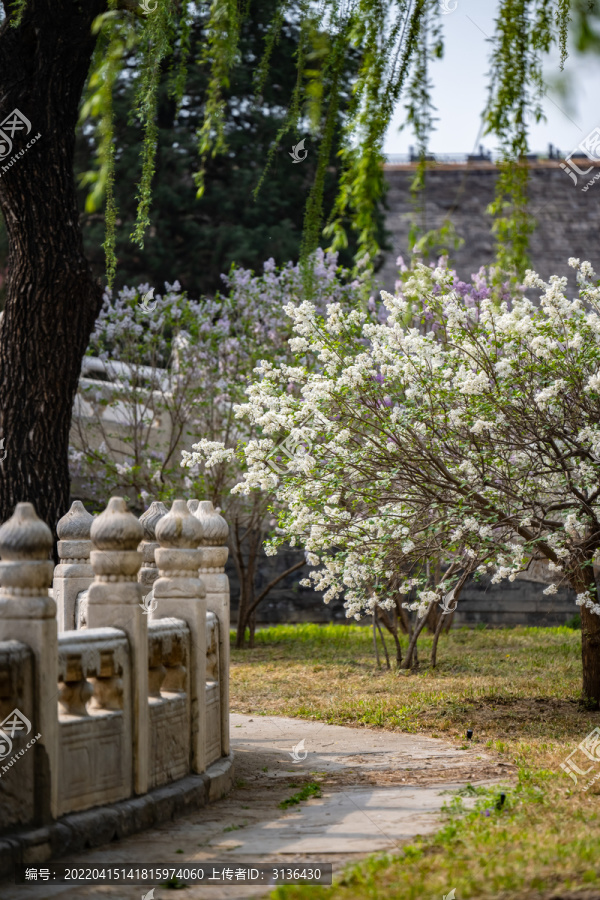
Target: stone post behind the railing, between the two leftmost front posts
(74, 573)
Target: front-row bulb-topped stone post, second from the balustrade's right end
(179, 593)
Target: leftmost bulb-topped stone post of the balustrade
(28, 614)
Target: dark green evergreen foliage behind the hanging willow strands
(198, 239)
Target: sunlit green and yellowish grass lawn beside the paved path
(518, 689)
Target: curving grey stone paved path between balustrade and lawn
(379, 790)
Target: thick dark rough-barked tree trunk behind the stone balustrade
(52, 298)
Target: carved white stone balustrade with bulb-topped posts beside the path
(136, 697)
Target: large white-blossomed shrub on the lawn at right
(466, 427)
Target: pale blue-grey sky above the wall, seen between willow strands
(460, 90)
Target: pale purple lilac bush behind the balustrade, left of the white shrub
(176, 374)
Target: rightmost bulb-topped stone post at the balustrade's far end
(212, 571)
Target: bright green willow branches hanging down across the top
(389, 39)
